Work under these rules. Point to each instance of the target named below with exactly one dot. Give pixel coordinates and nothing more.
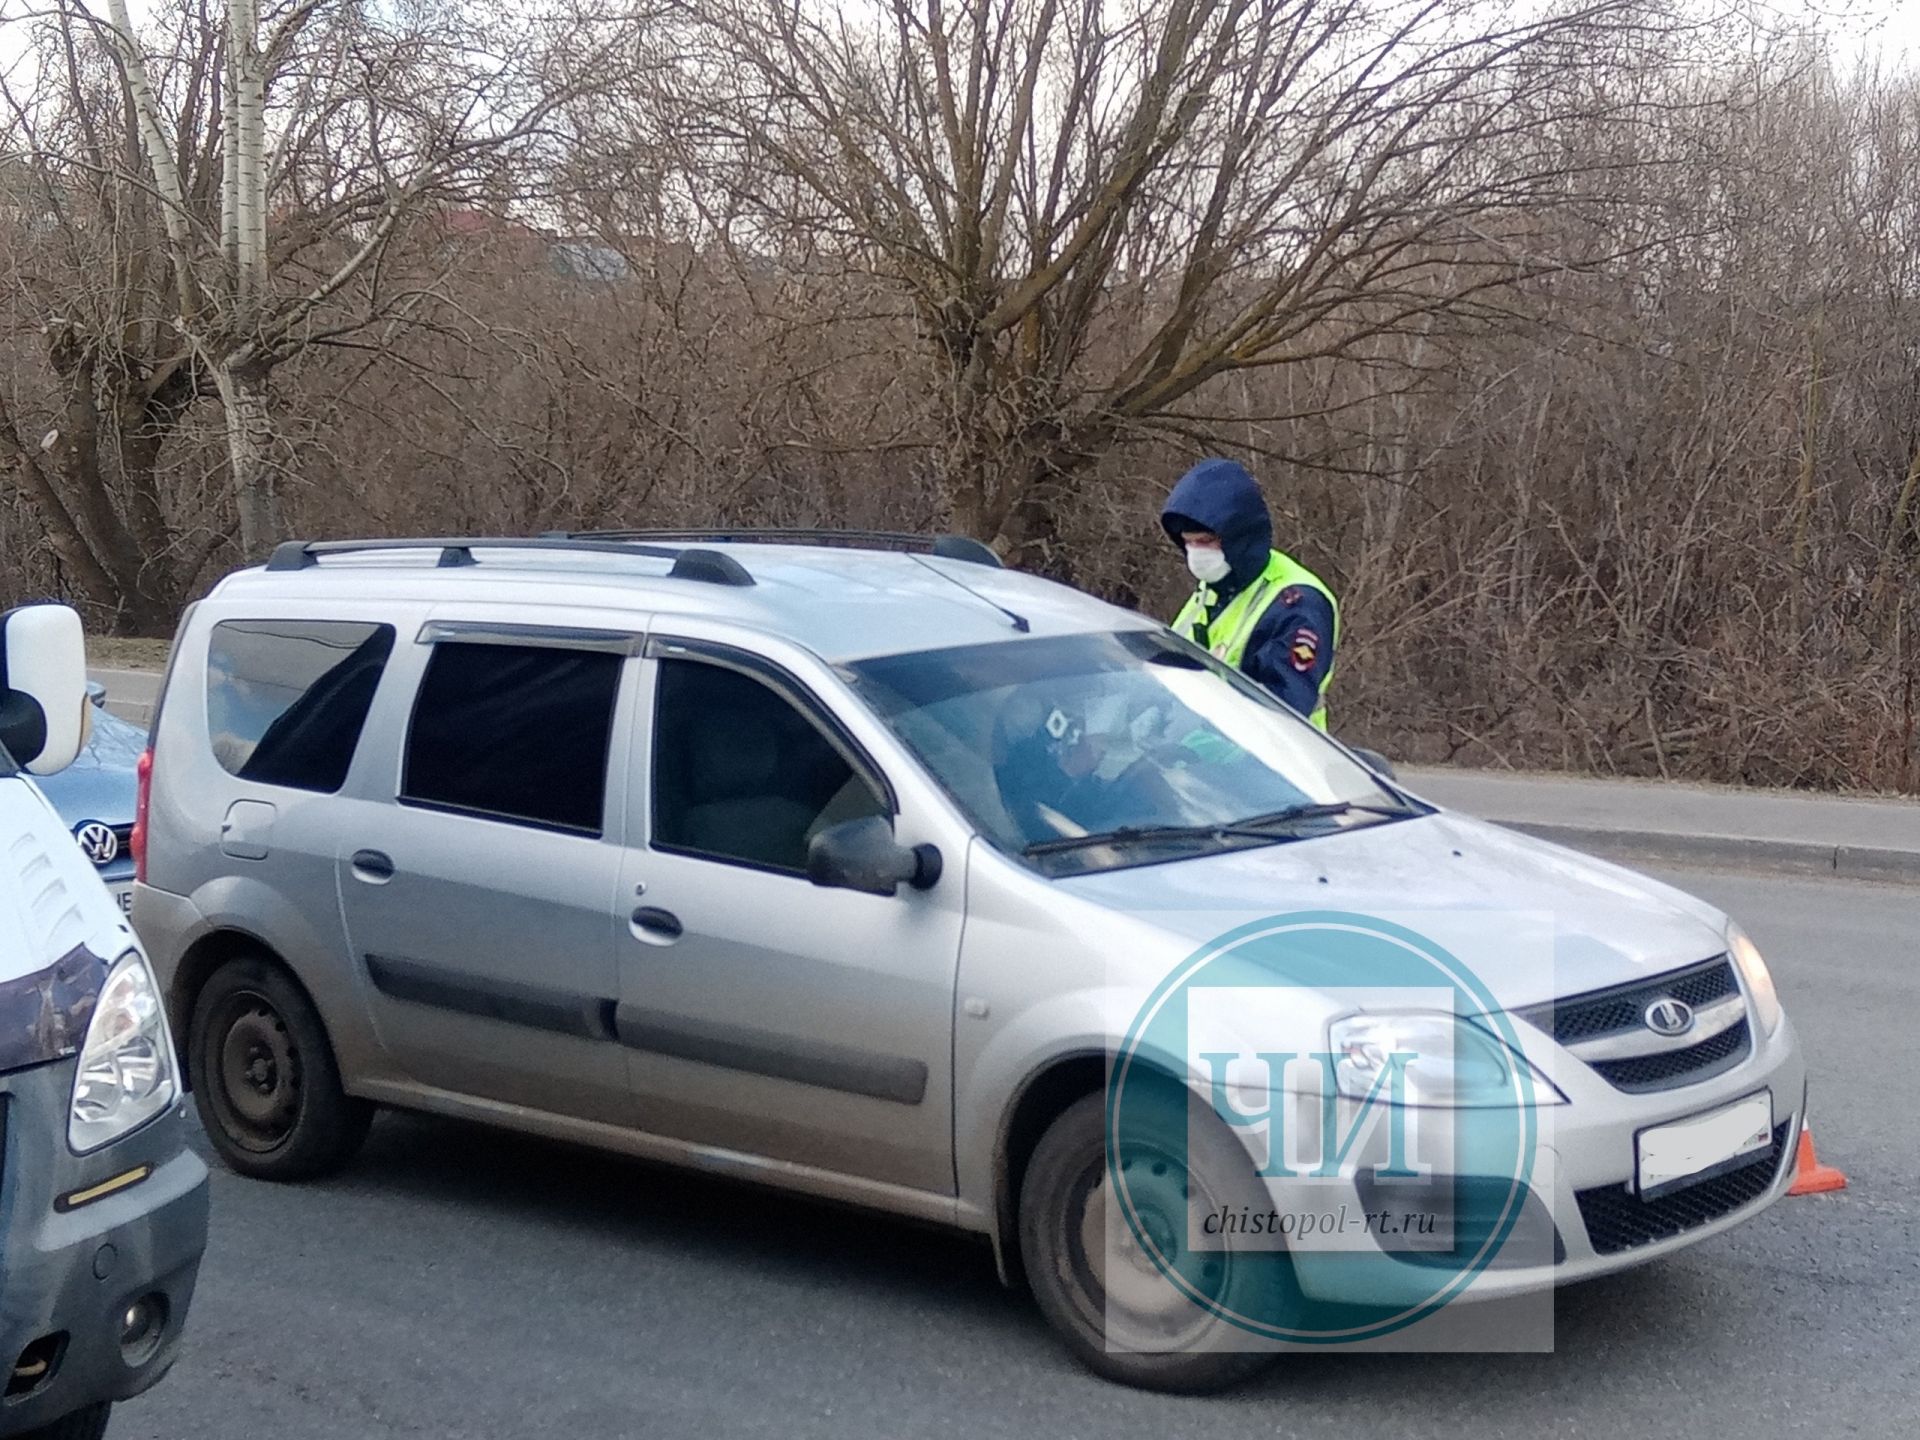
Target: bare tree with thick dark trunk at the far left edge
(85, 281)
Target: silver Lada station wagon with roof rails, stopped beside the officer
(848, 863)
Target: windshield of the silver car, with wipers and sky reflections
(1115, 750)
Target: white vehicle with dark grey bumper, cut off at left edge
(103, 1207)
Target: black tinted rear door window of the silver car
(514, 732)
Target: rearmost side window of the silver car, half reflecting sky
(287, 698)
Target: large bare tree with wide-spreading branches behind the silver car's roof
(1099, 214)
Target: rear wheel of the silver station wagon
(266, 1078)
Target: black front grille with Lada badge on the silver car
(1621, 1011)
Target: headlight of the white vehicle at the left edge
(128, 1072)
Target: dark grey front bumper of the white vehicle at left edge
(72, 1268)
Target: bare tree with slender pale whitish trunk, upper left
(272, 156)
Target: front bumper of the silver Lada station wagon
(1583, 1218)
